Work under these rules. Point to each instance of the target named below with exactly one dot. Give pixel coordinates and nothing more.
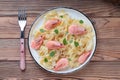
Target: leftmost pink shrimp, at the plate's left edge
(36, 44)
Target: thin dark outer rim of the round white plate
(53, 8)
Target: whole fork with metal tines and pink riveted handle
(22, 19)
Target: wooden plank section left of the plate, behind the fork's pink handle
(10, 49)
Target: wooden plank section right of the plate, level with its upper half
(107, 27)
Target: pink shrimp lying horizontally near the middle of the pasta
(54, 45)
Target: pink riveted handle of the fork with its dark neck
(22, 53)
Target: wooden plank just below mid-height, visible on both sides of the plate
(107, 50)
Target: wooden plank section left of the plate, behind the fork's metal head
(9, 27)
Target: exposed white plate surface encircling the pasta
(39, 21)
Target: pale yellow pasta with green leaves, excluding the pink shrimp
(73, 45)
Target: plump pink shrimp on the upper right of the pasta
(76, 30)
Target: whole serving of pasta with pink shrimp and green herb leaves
(63, 42)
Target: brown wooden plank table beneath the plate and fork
(105, 65)
